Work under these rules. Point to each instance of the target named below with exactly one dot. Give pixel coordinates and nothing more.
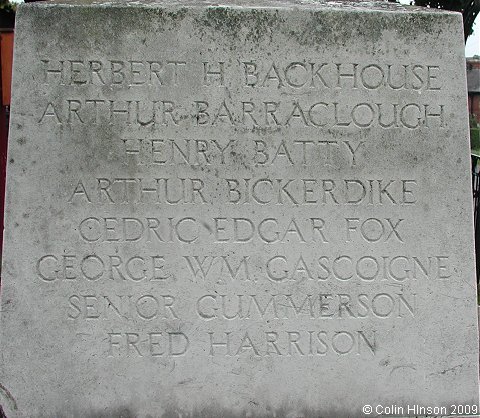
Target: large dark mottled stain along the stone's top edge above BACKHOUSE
(320, 26)
